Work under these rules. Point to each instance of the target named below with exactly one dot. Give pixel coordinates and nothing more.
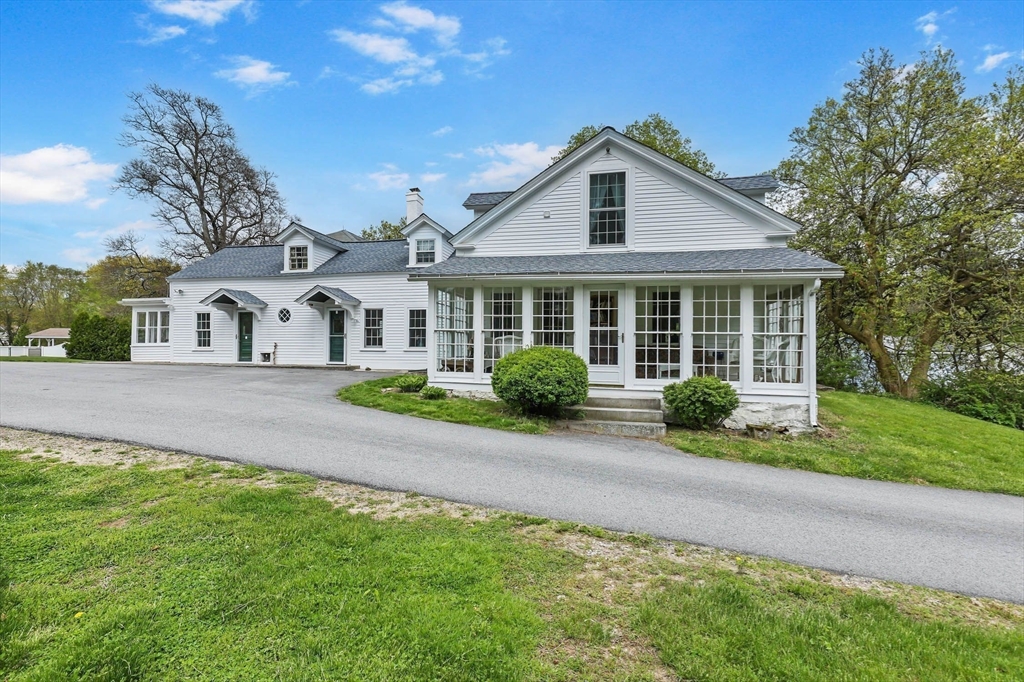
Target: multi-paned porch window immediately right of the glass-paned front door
(659, 333)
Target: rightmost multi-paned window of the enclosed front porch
(779, 334)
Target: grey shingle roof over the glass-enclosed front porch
(733, 261)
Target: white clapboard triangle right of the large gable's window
(669, 220)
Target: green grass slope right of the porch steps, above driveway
(884, 439)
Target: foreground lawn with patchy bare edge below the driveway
(152, 566)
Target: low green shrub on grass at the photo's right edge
(993, 397)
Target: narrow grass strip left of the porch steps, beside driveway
(460, 411)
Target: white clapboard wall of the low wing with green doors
(304, 339)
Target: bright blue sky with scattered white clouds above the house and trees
(351, 104)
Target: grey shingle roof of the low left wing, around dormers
(268, 262)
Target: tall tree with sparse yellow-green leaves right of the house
(918, 192)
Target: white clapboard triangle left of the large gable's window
(530, 234)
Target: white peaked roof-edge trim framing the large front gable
(783, 226)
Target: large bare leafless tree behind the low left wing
(207, 193)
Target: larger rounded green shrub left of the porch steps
(541, 380)
